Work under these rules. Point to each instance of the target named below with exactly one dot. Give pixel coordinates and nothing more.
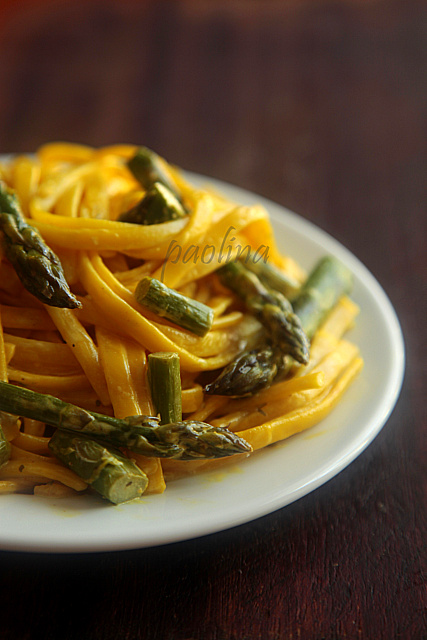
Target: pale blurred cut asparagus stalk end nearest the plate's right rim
(326, 284)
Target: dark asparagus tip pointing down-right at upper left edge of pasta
(38, 268)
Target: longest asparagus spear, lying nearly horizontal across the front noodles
(186, 440)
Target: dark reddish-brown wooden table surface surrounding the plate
(322, 107)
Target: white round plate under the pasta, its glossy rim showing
(275, 477)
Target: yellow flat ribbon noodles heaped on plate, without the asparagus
(95, 357)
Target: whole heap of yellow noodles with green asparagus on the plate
(151, 329)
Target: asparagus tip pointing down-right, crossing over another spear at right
(271, 308)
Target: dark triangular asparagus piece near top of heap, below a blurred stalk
(157, 206)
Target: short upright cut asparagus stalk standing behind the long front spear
(164, 378)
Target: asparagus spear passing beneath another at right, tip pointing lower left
(326, 284)
